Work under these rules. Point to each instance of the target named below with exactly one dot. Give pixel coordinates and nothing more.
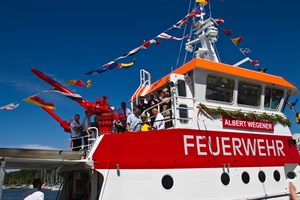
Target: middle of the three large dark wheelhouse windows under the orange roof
(249, 94)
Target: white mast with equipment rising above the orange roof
(206, 34)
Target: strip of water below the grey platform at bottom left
(15, 194)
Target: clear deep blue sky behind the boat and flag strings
(65, 39)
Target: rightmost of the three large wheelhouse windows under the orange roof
(273, 98)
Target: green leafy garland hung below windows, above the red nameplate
(242, 115)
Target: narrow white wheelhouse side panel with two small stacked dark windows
(183, 101)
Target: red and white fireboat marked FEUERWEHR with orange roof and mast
(228, 139)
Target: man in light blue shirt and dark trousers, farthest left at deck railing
(76, 130)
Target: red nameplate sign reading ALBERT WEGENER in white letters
(247, 124)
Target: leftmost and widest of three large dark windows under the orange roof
(219, 88)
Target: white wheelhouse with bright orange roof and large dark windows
(216, 85)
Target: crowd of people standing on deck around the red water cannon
(148, 114)
